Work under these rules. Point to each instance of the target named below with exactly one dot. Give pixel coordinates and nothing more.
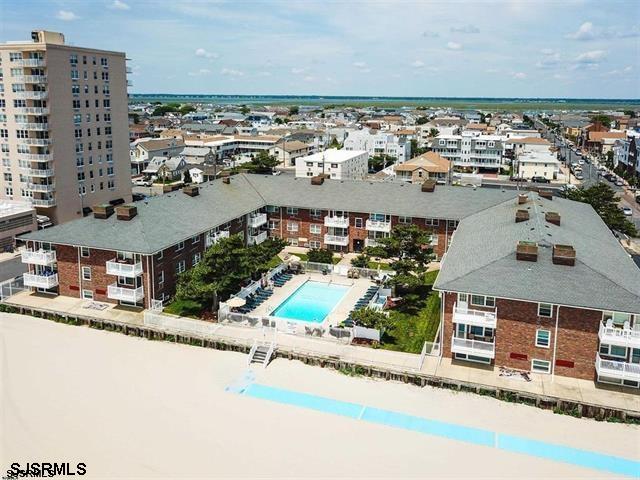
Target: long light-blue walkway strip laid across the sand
(487, 438)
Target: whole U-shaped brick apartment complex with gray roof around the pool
(508, 299)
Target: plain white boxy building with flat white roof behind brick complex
(337, 164)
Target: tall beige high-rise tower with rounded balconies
(64, 137)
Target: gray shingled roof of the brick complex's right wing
(482, 258)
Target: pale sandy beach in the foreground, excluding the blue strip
(132, 408)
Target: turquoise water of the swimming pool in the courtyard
(311, 302)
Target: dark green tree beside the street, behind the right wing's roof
(604, 201)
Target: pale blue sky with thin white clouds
(473, 48)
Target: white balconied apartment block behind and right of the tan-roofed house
(471, 152)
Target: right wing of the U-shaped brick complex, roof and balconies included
(523, 287)
